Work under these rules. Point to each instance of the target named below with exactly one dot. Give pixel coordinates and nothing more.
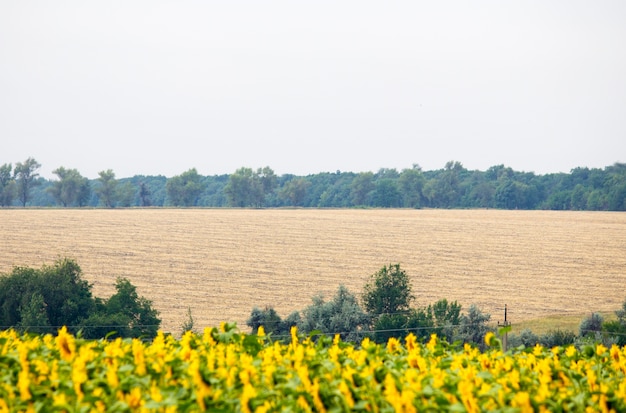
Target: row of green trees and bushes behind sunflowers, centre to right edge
(385, 309)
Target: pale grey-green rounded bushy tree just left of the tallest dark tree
(341, 315)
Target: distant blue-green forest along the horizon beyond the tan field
(453, 186)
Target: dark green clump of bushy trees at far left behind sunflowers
(39, 300)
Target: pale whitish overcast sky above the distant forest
(156, 87)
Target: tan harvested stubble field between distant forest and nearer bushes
(222, 262)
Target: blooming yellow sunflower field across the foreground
(224, 370)
